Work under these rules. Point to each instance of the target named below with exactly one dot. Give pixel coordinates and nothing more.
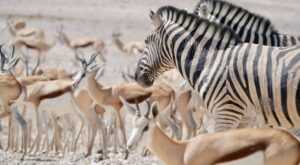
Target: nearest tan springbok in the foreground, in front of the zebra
(278, 146)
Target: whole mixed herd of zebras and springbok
(211, 85)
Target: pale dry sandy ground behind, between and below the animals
(101, 18)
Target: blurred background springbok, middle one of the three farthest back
(83, 42)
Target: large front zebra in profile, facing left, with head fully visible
(240, 84)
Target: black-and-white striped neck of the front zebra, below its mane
(192, 50)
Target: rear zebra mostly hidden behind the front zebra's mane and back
(249, 26)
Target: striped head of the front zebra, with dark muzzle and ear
(155, 59)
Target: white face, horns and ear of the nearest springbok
(141, 123)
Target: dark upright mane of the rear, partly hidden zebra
(265, 20)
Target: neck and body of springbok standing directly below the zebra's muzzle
(131, 92)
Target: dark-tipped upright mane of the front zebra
(170, 13)
